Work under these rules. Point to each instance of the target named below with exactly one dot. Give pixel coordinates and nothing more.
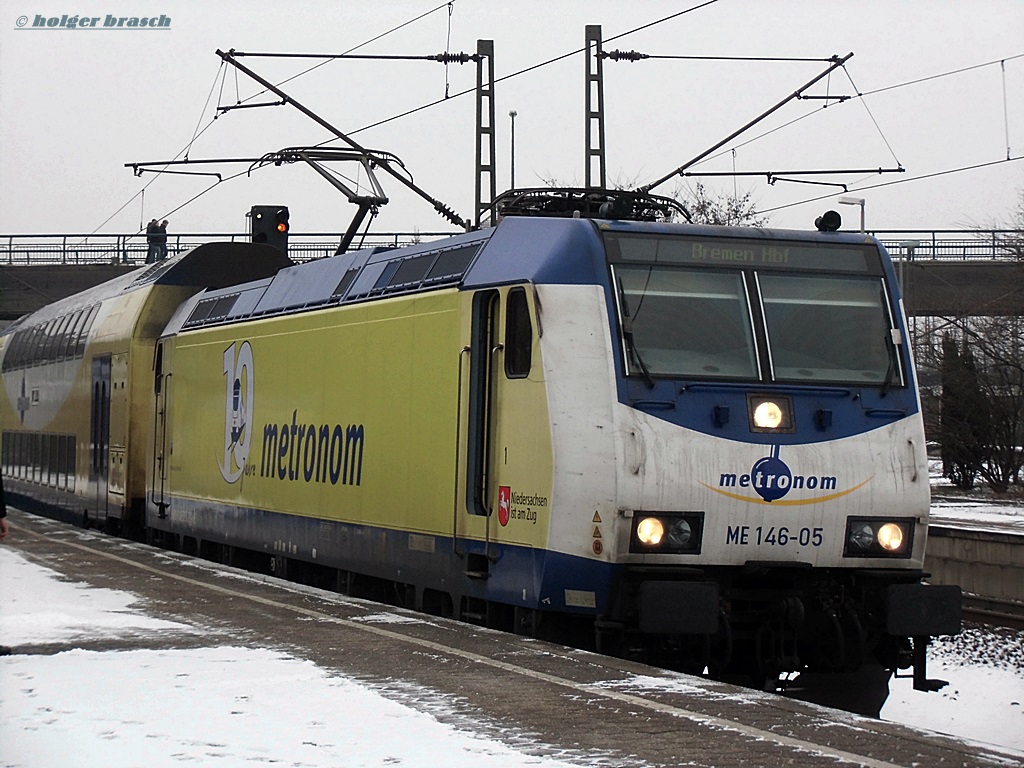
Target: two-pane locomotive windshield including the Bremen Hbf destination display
(753, 311)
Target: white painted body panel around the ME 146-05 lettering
(622, 460)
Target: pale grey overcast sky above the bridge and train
(77, 105)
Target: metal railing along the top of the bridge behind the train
(942, 245)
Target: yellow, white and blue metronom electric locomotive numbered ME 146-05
(702, 447)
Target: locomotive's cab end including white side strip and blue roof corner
(740, 463)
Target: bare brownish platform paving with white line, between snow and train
(561, 698)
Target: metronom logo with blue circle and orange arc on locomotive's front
(771, 481)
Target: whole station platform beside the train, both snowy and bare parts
(224, 658)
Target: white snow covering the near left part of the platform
(214, 707)
